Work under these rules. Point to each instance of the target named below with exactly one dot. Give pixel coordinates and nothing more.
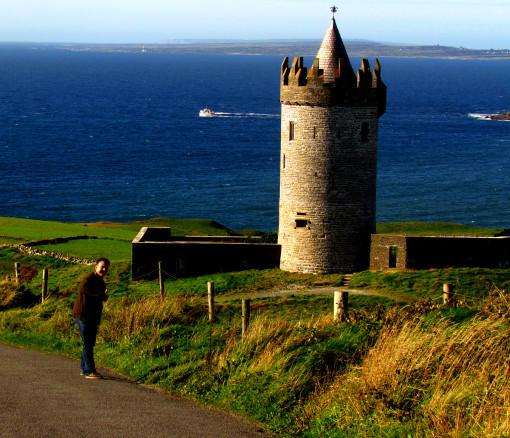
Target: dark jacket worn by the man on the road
(89, 301)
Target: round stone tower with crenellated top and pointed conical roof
(328, 163)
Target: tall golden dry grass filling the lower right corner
(427, 375)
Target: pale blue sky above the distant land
(468, 23)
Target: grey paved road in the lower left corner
(43, 395)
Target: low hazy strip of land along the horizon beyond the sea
(291, 48)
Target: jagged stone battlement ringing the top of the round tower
(299, 87)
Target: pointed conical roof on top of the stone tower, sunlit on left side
(332, 54)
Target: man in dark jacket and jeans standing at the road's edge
(87, 314)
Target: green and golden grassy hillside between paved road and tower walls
(403, 364)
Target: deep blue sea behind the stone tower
(89, 136)
